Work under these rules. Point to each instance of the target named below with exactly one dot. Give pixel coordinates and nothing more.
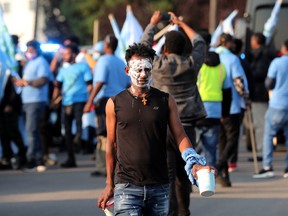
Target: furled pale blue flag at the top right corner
(271, 23)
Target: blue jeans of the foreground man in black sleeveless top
(132, 200)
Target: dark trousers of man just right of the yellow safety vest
(229, 138)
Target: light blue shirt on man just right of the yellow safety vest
(233, 70)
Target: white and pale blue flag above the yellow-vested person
(224, 26)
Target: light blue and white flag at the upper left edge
(6, 46)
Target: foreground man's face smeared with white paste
(140, 70)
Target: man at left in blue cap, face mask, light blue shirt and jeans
(34, 95)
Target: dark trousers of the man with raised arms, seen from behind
(180, 185)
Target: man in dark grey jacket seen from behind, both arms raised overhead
(176, 73)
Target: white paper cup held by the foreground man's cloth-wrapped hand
(206, 182)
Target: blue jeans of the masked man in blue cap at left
(33, 112)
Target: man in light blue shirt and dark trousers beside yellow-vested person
(230, 125)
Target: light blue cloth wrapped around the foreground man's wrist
(191, 157)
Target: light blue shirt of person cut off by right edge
(278, 70)
